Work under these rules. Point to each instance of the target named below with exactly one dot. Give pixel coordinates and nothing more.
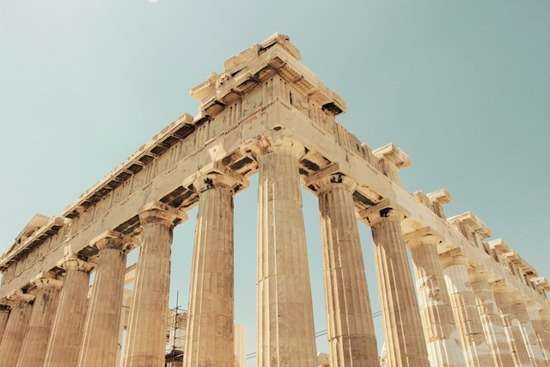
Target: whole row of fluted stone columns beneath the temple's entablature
(458, 320)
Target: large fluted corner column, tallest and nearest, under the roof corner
(286, 335)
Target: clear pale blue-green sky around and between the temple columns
(462, 86)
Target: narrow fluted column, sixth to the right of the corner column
(505, 301)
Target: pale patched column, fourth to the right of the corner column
(474, 346)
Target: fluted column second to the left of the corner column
(147, 328)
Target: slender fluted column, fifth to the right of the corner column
(491, 322)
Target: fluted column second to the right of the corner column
(397, 295)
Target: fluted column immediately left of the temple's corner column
(210, 339)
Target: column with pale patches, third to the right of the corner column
(440, 330)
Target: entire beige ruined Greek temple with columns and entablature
(450, 295)
